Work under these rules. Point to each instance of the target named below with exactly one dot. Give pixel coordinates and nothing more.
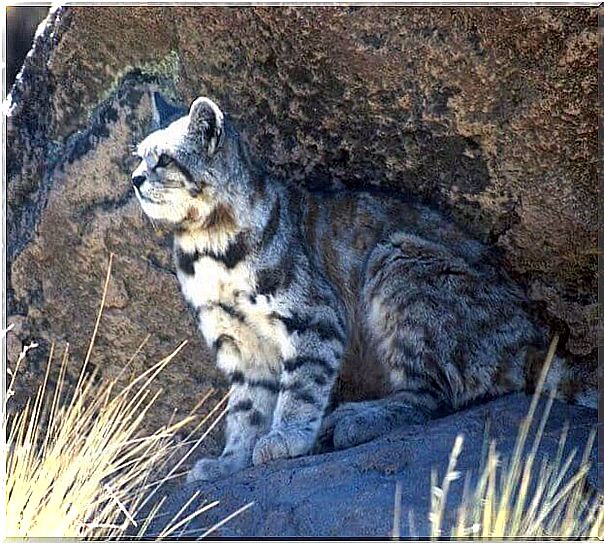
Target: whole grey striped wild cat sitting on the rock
(293, 289)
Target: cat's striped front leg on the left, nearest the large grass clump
(250, 407)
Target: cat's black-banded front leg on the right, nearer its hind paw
(307, 379)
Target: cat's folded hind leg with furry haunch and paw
(446, 328)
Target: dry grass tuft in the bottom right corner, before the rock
(519, 499)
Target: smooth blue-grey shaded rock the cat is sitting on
(351, 493)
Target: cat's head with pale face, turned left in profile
(183, 171)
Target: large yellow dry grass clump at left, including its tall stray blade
(79, 466)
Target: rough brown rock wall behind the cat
(488, 113)
